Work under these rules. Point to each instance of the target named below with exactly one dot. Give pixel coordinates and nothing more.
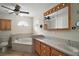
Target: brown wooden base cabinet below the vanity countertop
(43, 49)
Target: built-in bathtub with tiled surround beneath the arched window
(22, 43)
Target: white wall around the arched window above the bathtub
(21, 29)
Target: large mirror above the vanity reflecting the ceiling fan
(58, 20)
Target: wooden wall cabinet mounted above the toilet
(5, 24)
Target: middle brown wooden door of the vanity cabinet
(45, 50)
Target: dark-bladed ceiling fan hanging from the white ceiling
(16, 10)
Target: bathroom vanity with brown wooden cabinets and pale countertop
(46, 47)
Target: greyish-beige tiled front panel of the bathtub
(22, 47)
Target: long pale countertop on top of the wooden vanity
(61, 46)
